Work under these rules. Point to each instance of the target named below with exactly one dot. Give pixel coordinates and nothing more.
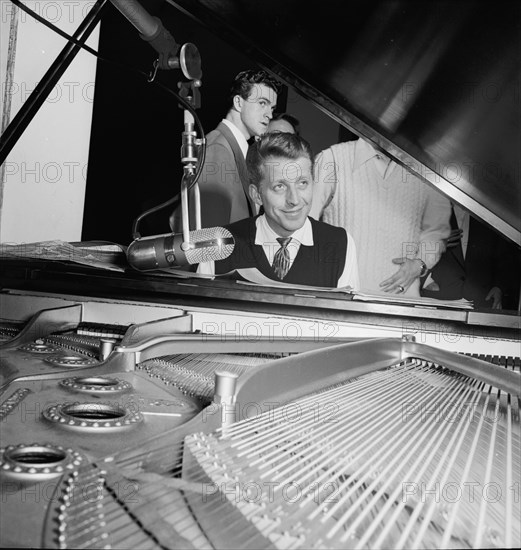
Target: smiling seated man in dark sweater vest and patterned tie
(283, 243)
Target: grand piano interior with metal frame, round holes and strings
(119, 434)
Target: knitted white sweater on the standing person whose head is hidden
(389, 211)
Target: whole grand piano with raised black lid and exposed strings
(141, 410)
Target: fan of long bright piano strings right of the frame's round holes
(376, 456)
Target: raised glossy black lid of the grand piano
(436, 84)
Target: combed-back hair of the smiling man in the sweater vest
(275, 145)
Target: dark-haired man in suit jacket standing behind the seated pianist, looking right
(223, 182)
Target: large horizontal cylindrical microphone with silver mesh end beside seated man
(172, 250)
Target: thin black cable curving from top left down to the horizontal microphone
(184, 103)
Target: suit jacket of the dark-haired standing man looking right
(223, 184)
